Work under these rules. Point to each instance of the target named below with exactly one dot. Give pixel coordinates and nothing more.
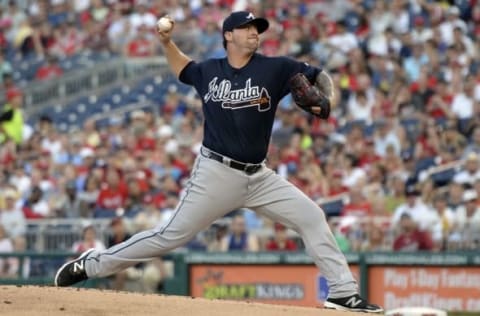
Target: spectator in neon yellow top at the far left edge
(11, 117)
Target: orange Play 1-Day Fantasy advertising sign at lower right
(447, 288)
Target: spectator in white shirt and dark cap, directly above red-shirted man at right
(415, 207)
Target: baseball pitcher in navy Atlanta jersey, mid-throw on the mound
(240, 94)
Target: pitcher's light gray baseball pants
(214, 190)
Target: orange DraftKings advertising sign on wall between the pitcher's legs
(277, 284)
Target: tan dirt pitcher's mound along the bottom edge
(39, 301)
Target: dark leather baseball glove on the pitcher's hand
(307, 95)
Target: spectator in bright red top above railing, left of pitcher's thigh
(112, 196)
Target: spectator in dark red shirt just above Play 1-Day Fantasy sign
(410, 237)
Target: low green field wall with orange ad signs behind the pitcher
(447, 281)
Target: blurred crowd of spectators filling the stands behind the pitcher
(401, 151)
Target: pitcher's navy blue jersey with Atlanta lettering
(239, 104)
